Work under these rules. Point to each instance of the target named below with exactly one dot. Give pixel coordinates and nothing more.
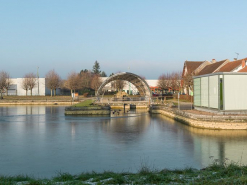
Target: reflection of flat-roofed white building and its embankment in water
(220, 145)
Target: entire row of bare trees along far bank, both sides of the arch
(86, 80)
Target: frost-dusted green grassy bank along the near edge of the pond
(214, 174)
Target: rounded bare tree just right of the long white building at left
(53, 81)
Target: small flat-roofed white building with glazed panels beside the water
(222, 91)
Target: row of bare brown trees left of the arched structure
(75, 81)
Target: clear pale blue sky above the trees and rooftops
(145, 37)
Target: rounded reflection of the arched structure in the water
(127, 127)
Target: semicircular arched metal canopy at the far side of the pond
(136, 80)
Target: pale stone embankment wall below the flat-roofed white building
(229, 122)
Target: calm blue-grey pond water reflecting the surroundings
(42, 141)
